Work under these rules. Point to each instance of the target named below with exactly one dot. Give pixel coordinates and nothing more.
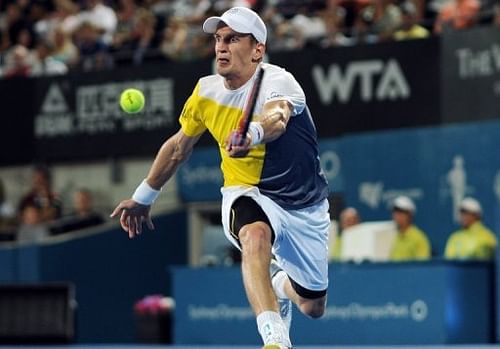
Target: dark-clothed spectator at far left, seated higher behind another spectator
(42, 196)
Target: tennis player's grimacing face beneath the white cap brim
(235, 54)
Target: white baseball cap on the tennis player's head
(240, 19)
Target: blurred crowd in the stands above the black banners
(50, 37)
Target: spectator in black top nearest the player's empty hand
(83, 215)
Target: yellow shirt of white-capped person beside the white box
(412, 244)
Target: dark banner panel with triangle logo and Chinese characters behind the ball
(78, 116)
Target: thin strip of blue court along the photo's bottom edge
(133, 346)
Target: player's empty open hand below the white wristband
(132, 215)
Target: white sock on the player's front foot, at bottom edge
(272, 329)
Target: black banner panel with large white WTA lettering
(368, 87)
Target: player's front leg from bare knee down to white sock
(255, 241)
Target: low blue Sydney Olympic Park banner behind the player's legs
(405, 303)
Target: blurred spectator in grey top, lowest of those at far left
(32, 228)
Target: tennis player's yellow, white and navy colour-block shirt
(287, 170)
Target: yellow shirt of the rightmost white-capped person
(475, 242)
